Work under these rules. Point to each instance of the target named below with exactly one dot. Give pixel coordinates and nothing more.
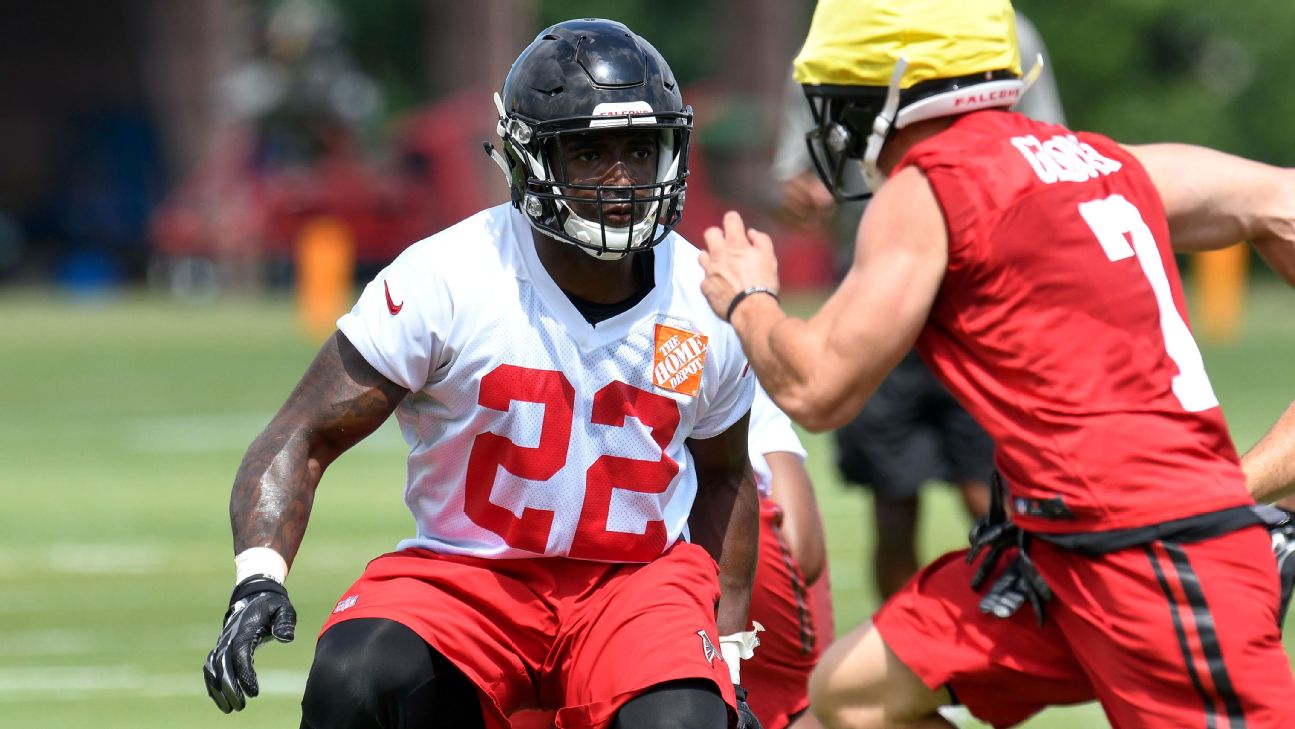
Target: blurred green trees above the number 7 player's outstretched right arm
(1205, 72)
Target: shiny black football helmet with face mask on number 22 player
(582, 76)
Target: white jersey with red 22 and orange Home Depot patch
(532, 432)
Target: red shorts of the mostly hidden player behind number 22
(796, 630)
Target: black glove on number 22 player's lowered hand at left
(258, 611)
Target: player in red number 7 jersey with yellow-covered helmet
(1033, 267)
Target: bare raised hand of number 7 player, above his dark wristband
(736, 258)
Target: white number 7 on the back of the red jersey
(1116, 222)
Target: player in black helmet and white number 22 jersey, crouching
(577, 421)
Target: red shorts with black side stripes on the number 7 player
(1167, 636)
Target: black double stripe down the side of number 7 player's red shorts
(1192, 614)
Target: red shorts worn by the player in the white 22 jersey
(567, 635)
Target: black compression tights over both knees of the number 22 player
(374, 674)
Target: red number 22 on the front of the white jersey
(612, 406)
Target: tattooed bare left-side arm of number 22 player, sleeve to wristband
(340, 401)
